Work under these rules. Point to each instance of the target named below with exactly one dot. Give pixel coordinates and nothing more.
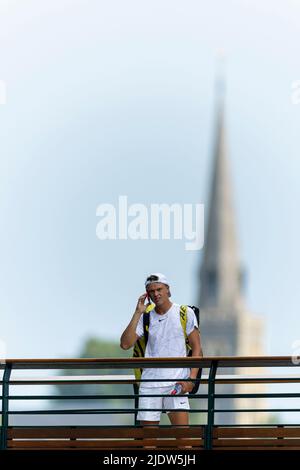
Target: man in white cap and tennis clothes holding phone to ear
(166, 339)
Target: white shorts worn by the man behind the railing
(169, 402)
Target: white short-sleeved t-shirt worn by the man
(166, 339)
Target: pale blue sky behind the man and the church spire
(117, 98)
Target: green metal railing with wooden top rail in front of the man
(207, 434)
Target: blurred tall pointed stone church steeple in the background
(220, 270)
